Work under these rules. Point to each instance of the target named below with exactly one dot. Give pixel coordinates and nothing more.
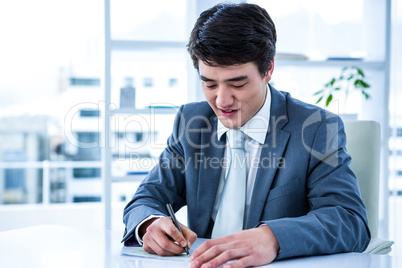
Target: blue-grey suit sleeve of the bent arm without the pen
(337, 220)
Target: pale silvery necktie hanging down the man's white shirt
(229, 218)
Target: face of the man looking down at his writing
(236, 92)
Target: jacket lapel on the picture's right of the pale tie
(272, 151)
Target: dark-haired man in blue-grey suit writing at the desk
(264, 175)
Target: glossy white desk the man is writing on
(56, 246)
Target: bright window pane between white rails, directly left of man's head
(169, 87)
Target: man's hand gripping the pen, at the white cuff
(160, 236)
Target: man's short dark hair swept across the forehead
(228, 34)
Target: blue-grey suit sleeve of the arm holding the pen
(164, 184)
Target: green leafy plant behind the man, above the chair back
(351, 78)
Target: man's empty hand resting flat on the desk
(252, 247)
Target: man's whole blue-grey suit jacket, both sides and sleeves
(304, 189)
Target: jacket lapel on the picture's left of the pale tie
(209, 174)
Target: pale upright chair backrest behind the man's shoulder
(364, 145)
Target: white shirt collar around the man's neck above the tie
(257, 127)
